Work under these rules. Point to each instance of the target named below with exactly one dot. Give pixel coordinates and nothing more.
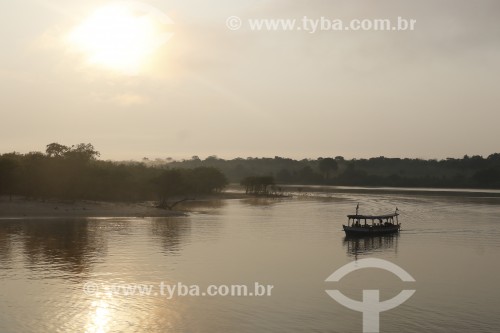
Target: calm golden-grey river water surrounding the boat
(79, 275)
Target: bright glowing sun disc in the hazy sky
(121, 37)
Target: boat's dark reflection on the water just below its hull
(356, 246)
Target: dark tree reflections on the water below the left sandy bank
(73, 246)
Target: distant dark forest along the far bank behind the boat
(467, 172)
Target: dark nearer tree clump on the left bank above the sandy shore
(75, 172)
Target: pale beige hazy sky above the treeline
(431, 93)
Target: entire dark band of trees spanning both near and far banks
(76, 172)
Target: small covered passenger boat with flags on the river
(359, 225)
